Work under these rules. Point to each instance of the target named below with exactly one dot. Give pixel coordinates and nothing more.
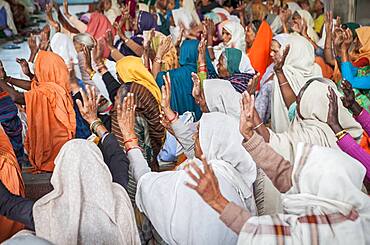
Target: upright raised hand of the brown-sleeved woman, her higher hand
(246, 115)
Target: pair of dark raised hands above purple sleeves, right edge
(348, 101)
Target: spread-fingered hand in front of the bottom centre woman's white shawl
(206, 185)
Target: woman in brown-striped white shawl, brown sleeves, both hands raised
(319, 206)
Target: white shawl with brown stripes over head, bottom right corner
(324, 206)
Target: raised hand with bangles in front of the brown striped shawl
(126, 115)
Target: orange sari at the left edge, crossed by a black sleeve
(10, 175)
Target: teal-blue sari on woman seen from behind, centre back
(181, 82)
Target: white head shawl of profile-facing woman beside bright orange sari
(299, 67)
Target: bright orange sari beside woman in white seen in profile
(259, 53)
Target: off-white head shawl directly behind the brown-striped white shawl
(313, 127)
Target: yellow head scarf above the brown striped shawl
(132, 69)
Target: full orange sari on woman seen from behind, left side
(50, 115)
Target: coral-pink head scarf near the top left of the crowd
(98, 27)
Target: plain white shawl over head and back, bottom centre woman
(178, 213)
